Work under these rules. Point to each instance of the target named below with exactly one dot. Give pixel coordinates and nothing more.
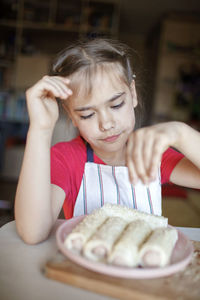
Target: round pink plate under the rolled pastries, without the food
(181, 257)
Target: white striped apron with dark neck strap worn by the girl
(110, 184)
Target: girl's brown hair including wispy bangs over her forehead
(85, 57)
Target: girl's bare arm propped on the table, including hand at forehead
(37, 202)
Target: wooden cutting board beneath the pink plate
(182, 285)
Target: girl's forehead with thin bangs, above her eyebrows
(99, 80)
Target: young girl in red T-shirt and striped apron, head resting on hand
(108, 161)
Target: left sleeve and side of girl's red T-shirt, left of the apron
(67, 167)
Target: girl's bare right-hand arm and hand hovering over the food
(146, 146)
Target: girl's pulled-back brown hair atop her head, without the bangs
(84, 54)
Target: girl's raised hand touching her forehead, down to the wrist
(41, 101)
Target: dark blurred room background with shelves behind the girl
(165, 36)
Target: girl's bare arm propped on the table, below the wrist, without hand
(34, 211)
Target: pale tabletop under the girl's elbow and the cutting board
(21, 276)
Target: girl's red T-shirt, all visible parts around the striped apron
(67, 166)
